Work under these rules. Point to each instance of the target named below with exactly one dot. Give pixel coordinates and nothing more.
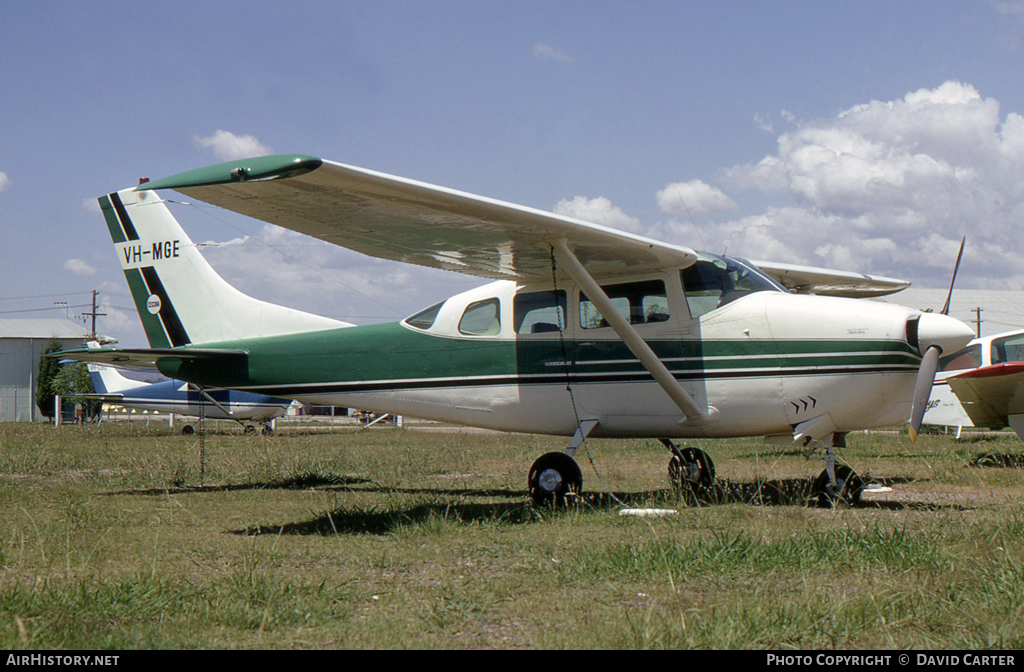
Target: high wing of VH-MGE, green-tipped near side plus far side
(406, 221)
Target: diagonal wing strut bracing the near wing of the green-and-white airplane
(695, 414)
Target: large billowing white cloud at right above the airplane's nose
(890, 188)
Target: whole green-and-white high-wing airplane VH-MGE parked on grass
(587, 331)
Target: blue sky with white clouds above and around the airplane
(867, 137)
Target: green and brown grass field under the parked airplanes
(392, 538)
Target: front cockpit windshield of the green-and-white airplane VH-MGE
(715, 281)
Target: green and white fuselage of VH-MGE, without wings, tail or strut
(533, 359)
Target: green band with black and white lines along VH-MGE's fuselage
(393, 357)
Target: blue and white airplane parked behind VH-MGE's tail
(179, 398)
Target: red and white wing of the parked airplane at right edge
(994, 396)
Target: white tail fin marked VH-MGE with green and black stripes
(181, 299)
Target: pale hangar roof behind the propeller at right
(1002, 310)
